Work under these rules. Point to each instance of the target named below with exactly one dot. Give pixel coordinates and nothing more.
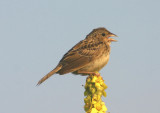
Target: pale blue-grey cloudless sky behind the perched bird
(35, 34)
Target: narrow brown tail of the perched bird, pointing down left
(50, 74)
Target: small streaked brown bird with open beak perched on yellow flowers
(87, 57)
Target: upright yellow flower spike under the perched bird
(94, 90)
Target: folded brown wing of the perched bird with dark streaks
(80, 55)
